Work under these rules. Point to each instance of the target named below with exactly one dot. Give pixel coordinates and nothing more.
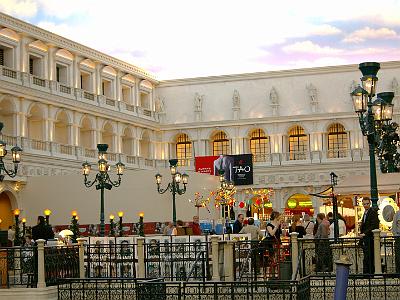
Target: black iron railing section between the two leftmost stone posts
(61, 262)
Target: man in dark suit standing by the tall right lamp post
(369, 222)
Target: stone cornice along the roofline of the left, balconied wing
(59, 41)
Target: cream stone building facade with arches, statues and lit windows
(58, 99)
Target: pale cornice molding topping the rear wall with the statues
(270, 74)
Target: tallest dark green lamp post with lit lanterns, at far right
(374, 118)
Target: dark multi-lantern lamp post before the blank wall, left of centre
(102, 179)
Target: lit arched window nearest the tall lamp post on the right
(337, 141)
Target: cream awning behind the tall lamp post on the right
(387, 183)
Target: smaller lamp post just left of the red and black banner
(174, 185)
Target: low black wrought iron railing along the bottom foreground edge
(157, 289)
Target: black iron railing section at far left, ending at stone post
(18, 267)
